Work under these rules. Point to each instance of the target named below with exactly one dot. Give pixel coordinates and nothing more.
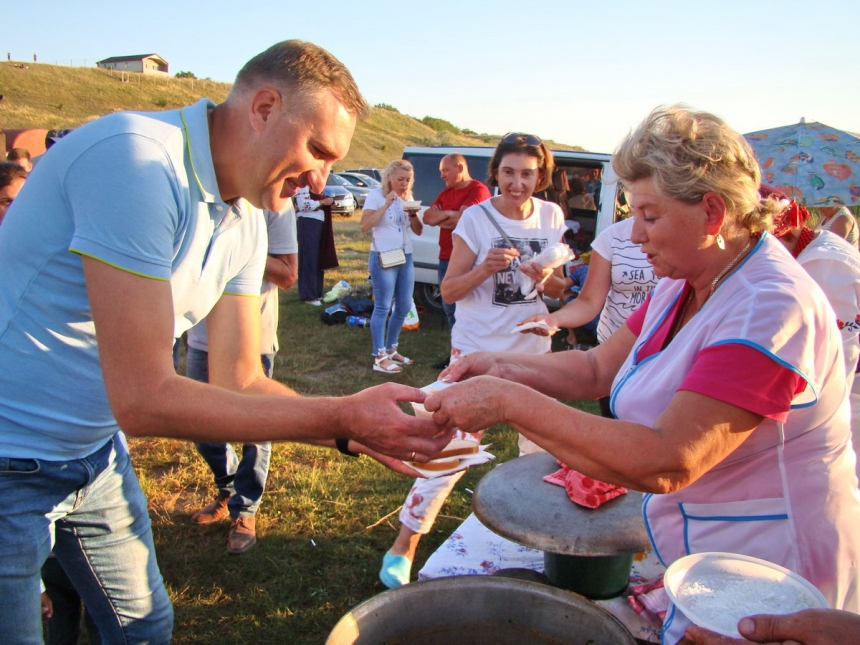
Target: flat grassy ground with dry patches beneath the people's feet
(325, 520)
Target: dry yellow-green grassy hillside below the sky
(56, 97)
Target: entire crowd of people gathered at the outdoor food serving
(728, 340)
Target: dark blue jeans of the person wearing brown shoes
(242, 481)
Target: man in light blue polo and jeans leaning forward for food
(132, 230)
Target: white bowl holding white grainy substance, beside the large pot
(715, 590)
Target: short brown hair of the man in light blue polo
(304, 67)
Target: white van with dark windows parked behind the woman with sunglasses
(599, 214)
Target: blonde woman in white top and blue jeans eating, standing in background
(389, 222)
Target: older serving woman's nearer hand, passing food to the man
(472, 405)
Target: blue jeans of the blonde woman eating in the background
(394, 284)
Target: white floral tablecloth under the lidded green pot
(474, 550)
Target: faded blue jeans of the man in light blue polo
(95, 514)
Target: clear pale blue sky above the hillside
(580, 73)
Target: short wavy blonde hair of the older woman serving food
(689, 153)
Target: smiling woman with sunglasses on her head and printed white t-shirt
(493, 243)
